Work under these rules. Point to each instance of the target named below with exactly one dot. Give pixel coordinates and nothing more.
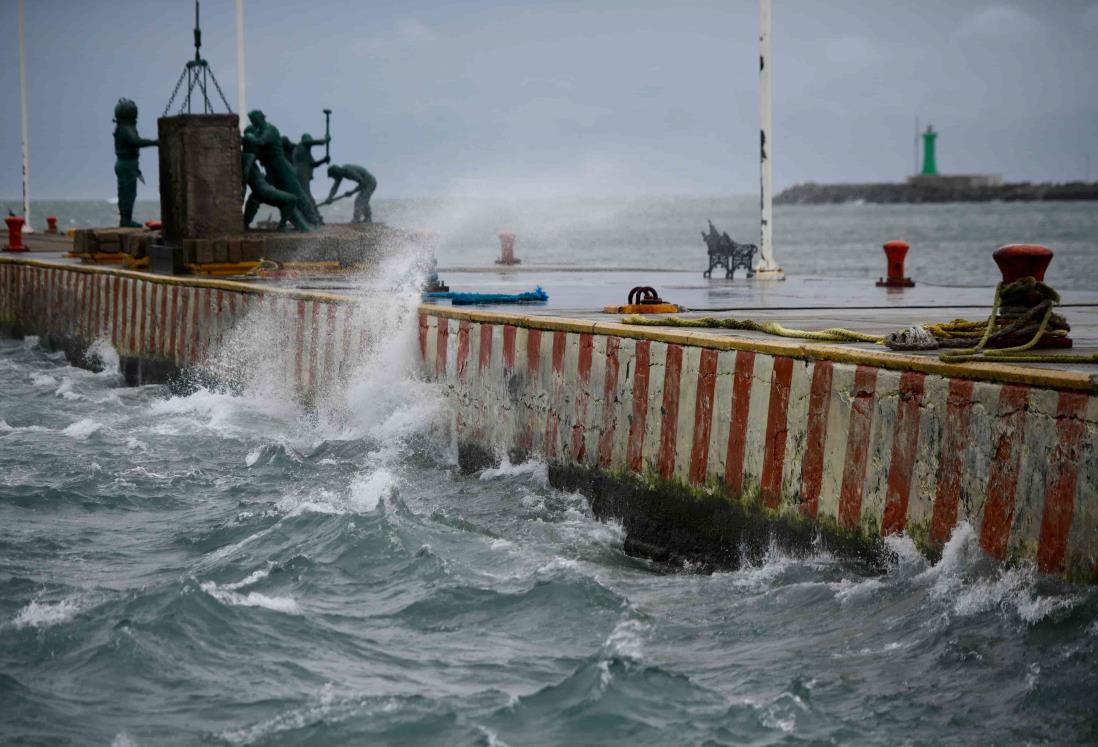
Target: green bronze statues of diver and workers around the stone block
(276, 171)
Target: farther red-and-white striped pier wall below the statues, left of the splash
(165, 328)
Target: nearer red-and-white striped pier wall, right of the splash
(859, 450)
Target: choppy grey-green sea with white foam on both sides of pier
(231, 568)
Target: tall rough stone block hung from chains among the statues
(201, 191)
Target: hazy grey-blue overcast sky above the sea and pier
(593, 97)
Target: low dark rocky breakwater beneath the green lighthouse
(811, 194)
